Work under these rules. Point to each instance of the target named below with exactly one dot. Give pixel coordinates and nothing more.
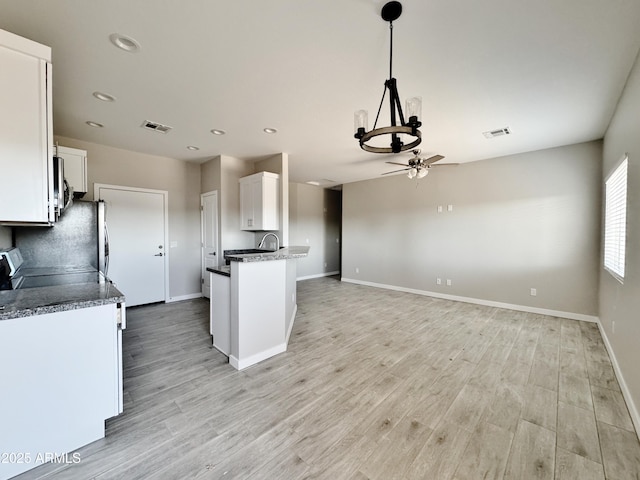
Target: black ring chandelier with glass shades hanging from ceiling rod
(399, 127)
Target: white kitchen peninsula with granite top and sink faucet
(261, 304)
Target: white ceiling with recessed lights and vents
(550, 70)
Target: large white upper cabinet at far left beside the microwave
(25, 131)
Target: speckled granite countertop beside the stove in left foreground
(37, 301)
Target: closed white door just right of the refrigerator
(136, 222)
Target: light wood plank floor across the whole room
(375, 385)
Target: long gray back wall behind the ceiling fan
(518, 222)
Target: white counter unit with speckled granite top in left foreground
(61, 368)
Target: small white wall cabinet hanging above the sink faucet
(259, 201)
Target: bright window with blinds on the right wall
(615, 220)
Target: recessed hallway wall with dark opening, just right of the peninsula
(315, 215)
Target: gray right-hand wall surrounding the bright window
(620, 303)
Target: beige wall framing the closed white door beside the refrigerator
(115, 166)
